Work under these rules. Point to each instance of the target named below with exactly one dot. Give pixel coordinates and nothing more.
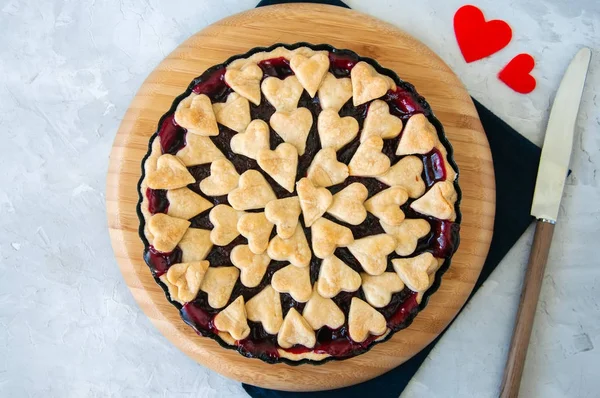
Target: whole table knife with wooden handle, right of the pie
(552, 173)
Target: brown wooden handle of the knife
(529, 298)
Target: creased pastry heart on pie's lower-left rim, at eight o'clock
(186, 278)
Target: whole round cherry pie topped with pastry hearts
(297, 203)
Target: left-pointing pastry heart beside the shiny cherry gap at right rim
(407, 174)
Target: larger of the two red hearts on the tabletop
(477, 38)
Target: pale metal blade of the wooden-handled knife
(558, 143)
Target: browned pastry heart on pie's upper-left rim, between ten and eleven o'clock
(195, 114)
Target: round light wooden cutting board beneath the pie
(341, 28)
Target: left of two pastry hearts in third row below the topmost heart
(293, 127)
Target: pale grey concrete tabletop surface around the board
(69, 326)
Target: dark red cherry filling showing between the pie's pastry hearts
(441, 241)
